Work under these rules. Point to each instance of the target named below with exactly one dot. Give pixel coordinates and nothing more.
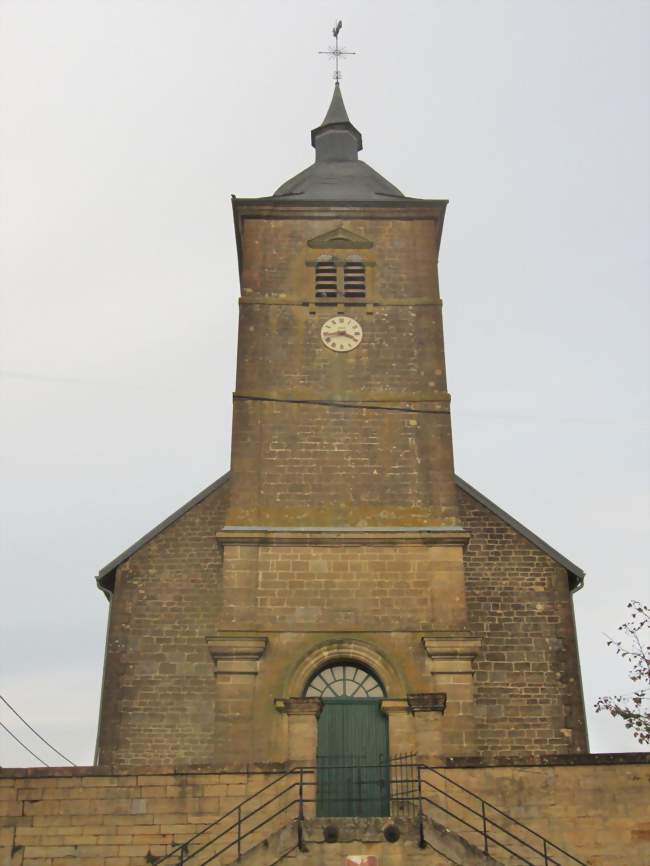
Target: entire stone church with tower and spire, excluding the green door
(340, 535)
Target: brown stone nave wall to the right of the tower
(527, 682)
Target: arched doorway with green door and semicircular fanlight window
(352, 751)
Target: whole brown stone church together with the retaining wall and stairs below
(340, 651)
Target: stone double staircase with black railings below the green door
(434, 822)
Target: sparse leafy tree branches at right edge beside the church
(633, 646)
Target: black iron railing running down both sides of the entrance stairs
(415, 791)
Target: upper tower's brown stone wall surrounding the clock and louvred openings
(297, 463)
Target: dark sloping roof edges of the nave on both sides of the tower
(106, 577)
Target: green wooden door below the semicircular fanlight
(352, 758)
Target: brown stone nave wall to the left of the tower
(158, 701)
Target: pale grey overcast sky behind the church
(125, 125)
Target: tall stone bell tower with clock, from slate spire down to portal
(342, 539)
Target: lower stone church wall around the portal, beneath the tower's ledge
(163, 703)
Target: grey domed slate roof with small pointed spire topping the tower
(338, 173)
